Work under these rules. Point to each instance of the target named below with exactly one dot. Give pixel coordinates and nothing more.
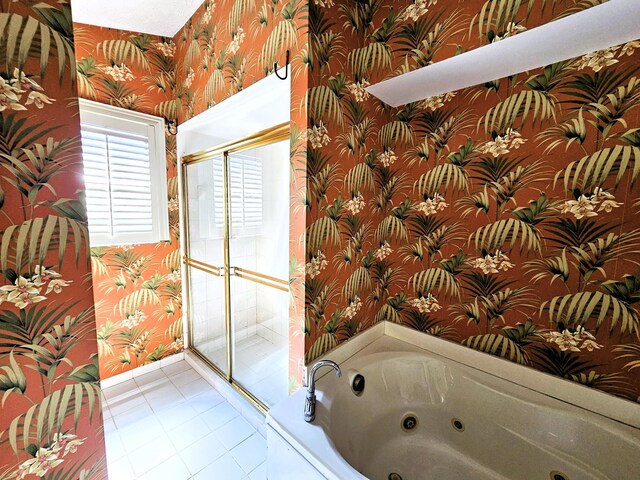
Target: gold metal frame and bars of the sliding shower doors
(265, 137)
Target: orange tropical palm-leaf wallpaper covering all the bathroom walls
(503, 217)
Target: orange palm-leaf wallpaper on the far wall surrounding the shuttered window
(136, 287)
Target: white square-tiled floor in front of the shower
(170, 424)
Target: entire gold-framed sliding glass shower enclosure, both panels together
(236, 212)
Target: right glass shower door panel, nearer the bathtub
(259, 257)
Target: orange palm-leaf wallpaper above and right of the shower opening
(227, 46)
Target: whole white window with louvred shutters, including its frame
(125, 175)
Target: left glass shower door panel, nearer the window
(206, 259)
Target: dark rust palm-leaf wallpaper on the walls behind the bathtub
(503, 217)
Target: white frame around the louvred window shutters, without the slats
(106, 116)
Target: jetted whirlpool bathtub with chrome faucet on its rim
(471, 425)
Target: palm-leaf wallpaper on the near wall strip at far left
(50, 419)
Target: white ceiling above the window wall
(159, 17)
